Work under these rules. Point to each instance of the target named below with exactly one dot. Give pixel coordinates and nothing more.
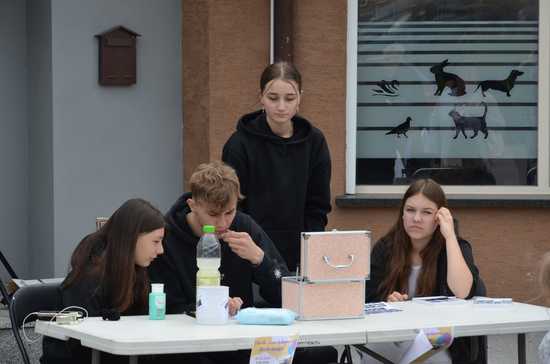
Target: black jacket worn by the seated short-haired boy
(177, 267)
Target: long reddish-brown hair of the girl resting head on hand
(400, 246)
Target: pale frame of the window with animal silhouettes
(540, 191)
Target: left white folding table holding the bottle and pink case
(137, 335)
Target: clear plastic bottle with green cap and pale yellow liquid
(208, 258)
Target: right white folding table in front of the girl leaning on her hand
(505, 325)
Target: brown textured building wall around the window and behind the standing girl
(226, 46)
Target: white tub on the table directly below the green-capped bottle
(212, 305)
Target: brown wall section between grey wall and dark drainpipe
(225, 48)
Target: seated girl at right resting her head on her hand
(422, 255)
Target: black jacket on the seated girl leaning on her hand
(463, 350)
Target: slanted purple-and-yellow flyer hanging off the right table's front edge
(427, 343)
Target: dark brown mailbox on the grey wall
(117, 57)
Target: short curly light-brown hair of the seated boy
(215, 183)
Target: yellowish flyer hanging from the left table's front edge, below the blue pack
(274, 350)
